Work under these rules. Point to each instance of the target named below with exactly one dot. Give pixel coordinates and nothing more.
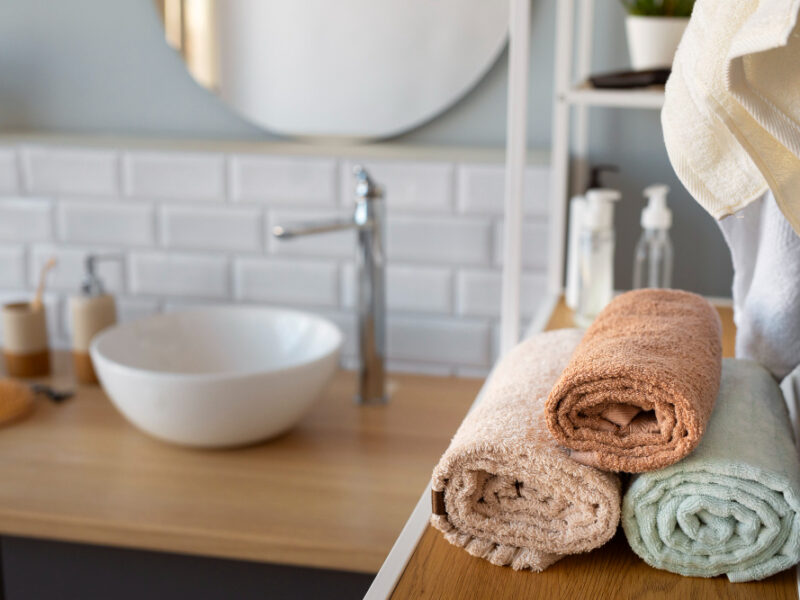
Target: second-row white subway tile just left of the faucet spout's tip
(228, 228)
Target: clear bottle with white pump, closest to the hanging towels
(653, 258)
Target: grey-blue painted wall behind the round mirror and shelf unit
(94, 66)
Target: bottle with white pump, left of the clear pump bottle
(596, 254)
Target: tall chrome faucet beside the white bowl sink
(368, 221)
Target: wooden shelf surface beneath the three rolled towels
(437, 569)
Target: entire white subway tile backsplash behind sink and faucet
(182, 245)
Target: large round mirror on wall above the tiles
(360, 69)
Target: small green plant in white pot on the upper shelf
(654, 29)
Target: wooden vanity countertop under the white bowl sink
(332, 493)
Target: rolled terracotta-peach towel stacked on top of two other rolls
(638, 392)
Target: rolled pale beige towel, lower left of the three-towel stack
(511, 494)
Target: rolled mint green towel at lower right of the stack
(733, 505)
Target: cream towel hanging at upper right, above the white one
(731, 117)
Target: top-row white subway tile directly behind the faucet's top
(417, 186)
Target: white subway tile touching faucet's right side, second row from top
(439, 240)
